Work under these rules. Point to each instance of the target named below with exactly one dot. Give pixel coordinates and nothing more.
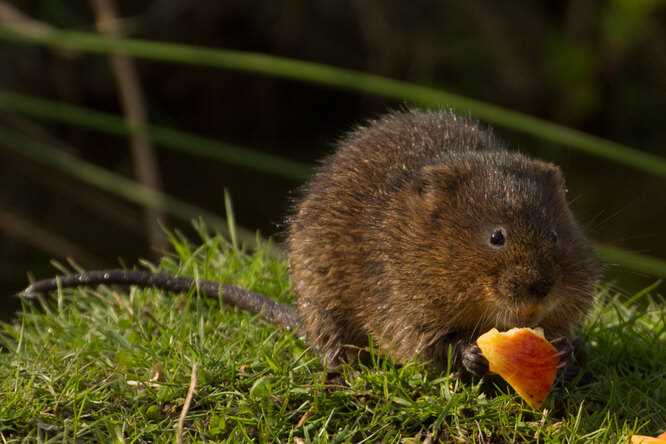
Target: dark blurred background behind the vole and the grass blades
(598, 66)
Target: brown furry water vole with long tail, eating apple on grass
(421, 231)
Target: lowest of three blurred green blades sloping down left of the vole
(114, 183)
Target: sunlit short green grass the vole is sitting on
(104, 366)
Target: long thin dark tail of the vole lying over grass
(283, 315)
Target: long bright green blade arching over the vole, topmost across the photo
(340, 78)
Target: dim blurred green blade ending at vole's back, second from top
(161, 136)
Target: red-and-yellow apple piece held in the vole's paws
(523, 358)
